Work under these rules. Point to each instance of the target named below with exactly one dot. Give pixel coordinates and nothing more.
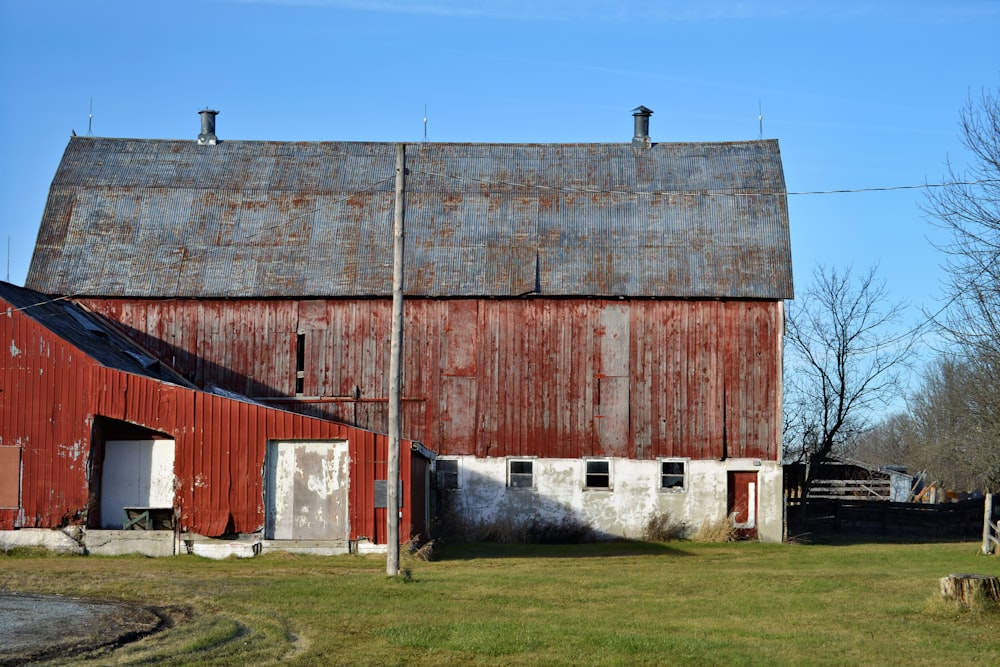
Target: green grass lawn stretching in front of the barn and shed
(599, 604)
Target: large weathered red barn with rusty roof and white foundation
(593, 332)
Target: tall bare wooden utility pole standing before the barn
(395, 373)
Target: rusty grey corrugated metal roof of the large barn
(165, 218)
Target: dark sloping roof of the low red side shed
(88, 332)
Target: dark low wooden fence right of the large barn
(824, 516)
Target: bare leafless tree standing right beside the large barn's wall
(843, 363)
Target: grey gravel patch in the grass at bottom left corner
(38, 627)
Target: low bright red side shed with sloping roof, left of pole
(94, 430)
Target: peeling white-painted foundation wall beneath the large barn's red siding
(559, 494)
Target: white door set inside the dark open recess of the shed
(136, 473)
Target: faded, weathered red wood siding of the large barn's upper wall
(498, 377)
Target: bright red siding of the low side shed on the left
(51, 392)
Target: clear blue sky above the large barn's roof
(859, 94)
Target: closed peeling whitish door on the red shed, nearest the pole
(306, 485)
